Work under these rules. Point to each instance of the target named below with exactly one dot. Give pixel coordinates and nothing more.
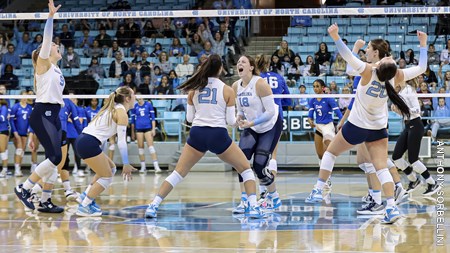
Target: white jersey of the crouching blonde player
(100, 129)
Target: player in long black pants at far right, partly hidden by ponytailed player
(410, 140)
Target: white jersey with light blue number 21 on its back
(210, 106)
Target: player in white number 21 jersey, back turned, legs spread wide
(211, 107)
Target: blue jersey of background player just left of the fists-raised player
(324, 110)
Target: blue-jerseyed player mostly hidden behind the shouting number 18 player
(278, 85)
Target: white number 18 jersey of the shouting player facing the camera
(253, 107)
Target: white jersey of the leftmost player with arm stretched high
(49, 86)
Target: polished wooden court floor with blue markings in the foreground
(196, 217)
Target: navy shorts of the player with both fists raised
(356, 135)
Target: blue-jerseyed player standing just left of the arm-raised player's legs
(19, 119)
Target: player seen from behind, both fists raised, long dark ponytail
(368, 118)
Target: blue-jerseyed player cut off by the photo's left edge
(4, 134)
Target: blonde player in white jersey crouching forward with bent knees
(111, 119)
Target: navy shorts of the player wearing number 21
(214, 139)
